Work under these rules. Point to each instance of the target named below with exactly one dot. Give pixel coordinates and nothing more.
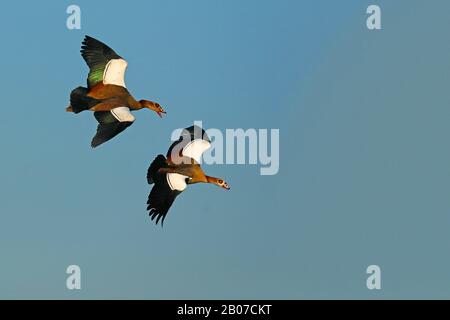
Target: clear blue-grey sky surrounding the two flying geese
(365, 159)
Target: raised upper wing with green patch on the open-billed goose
(105, 65)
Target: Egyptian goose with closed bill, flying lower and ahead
(171, 175)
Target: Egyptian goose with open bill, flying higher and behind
(106, 93)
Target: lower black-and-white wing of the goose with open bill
(111, 123)
